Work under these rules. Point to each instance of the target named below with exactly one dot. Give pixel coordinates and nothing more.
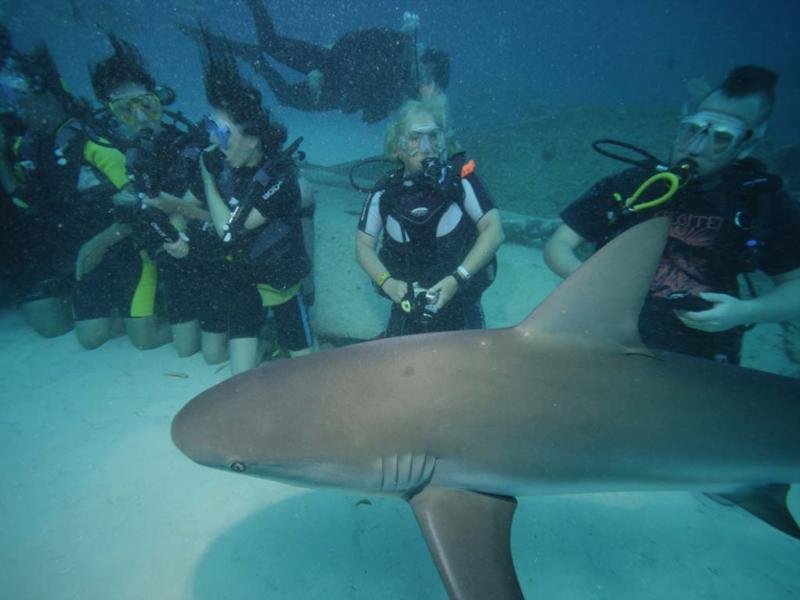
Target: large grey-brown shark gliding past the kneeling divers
(459, 424)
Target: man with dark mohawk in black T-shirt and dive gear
(729, 217)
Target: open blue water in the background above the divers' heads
(509, 58)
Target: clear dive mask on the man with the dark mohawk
(714, 135)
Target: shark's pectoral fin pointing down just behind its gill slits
(469, 536)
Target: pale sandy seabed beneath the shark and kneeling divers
(96, 502)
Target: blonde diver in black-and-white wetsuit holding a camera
(440, 229)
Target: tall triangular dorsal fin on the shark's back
(601, 301)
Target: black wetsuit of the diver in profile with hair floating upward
(273, 254)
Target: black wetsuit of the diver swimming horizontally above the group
(369, 70)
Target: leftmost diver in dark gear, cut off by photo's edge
(36, 192)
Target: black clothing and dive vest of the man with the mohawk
(715, 236)
